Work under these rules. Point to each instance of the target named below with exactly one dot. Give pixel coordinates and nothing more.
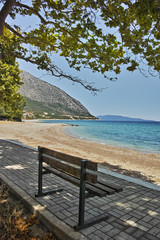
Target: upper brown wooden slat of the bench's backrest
(69, 158)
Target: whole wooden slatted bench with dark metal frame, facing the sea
(78, 171)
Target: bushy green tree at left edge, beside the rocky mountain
(12, 103)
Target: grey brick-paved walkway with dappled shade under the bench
(133, 213)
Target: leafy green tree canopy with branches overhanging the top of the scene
(71, 28)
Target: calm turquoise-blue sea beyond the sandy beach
(141, 136)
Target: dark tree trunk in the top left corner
(6, 9)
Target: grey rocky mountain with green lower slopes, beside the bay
(44, 100)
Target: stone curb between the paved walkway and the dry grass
(52, 223)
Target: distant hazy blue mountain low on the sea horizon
(119, 118)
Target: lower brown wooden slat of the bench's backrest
(68, 168)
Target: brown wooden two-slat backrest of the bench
(69, 164)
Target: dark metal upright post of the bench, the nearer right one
(82, 192)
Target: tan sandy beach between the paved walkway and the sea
(122, 160)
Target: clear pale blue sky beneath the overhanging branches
(131, 95)
